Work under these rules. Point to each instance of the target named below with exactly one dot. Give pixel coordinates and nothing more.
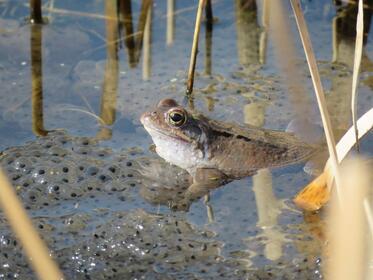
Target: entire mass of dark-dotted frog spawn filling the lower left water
(85, 201)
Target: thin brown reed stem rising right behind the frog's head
(193, 56)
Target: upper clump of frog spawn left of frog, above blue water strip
(58, 168)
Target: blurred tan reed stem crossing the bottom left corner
(34, 247)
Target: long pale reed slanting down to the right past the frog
(302, 27)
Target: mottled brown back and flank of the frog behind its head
(239, 151)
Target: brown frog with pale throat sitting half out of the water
(216, 152)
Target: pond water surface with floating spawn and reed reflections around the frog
(72, 92)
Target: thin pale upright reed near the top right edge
(357, 62)
